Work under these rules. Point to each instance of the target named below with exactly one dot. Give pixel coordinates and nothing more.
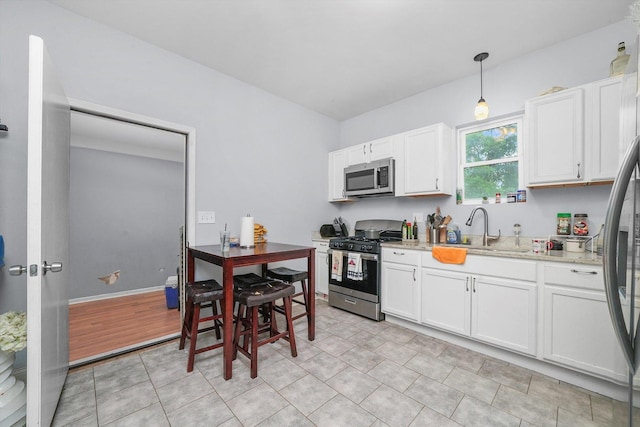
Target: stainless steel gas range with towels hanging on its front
(354, 268)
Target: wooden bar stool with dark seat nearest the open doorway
(206, 293)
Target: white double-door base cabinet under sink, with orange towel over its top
(489, 299)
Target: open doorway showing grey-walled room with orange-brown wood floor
(112, 143)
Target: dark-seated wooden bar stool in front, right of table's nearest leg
(248, 324)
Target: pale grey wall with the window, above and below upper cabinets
(506, 87)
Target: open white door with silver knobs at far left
(47, 237)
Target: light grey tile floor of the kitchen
(356, 373)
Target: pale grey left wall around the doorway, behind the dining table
(256, 152)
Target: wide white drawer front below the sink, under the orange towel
(487, 266)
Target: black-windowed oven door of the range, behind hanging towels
(367, 287)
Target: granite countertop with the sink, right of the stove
(523, 252)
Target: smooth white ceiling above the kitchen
(343, 58)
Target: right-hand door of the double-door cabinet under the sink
(504, 313)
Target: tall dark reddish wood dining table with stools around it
(261, 254)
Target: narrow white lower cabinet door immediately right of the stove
(400, 293)
